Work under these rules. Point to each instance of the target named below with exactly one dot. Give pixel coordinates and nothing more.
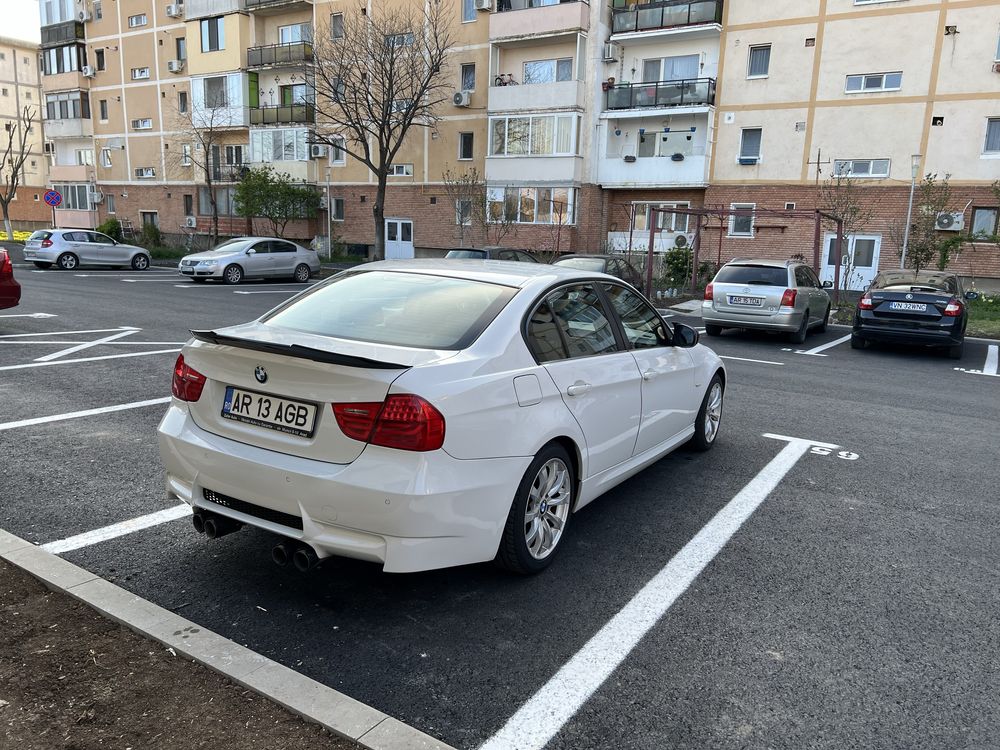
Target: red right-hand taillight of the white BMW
(402, 421)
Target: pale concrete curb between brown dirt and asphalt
(313, 701)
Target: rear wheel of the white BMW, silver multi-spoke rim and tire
(523, 546)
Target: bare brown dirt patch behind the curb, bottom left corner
(72, 680)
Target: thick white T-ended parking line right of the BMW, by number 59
(548, 710)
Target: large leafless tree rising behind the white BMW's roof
(382, 75)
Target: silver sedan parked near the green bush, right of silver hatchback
(251, 258)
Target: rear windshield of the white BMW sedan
(399, 309)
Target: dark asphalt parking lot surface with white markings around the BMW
(853, 606)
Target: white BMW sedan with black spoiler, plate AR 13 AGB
(424, 414)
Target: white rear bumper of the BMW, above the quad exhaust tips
(408, 511)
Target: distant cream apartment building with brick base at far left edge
(20, 87)
